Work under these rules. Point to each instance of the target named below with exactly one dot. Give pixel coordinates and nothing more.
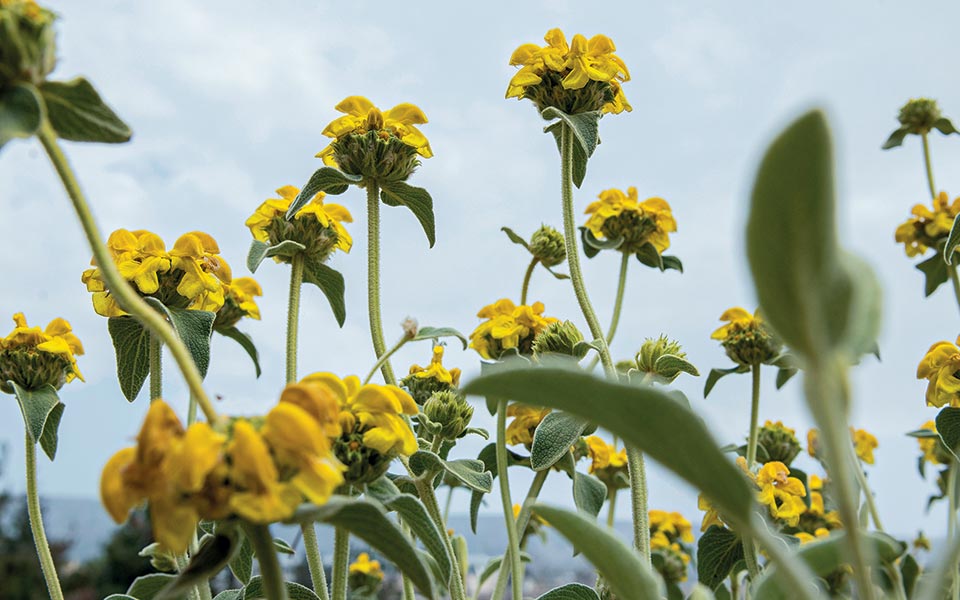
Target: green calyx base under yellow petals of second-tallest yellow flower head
(375, 155)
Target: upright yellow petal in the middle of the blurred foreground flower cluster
(260, 497)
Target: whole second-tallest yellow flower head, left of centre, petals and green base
(375, 144)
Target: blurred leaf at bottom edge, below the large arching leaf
(629, 577)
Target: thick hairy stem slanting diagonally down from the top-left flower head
(128, 299)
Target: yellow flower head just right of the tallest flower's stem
(618, 215)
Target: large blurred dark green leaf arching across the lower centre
(641, 416)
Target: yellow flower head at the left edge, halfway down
(32, 357)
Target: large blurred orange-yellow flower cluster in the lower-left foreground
(260, 470)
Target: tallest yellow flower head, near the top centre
(587, 68)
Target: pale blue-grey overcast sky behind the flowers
(227, 101)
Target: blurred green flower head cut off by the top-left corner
(27, 42)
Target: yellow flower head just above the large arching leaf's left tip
(508, 326)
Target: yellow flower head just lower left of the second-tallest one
(317, 226)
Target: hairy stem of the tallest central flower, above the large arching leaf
(573, 250)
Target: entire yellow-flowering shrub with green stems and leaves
(367, 456)
